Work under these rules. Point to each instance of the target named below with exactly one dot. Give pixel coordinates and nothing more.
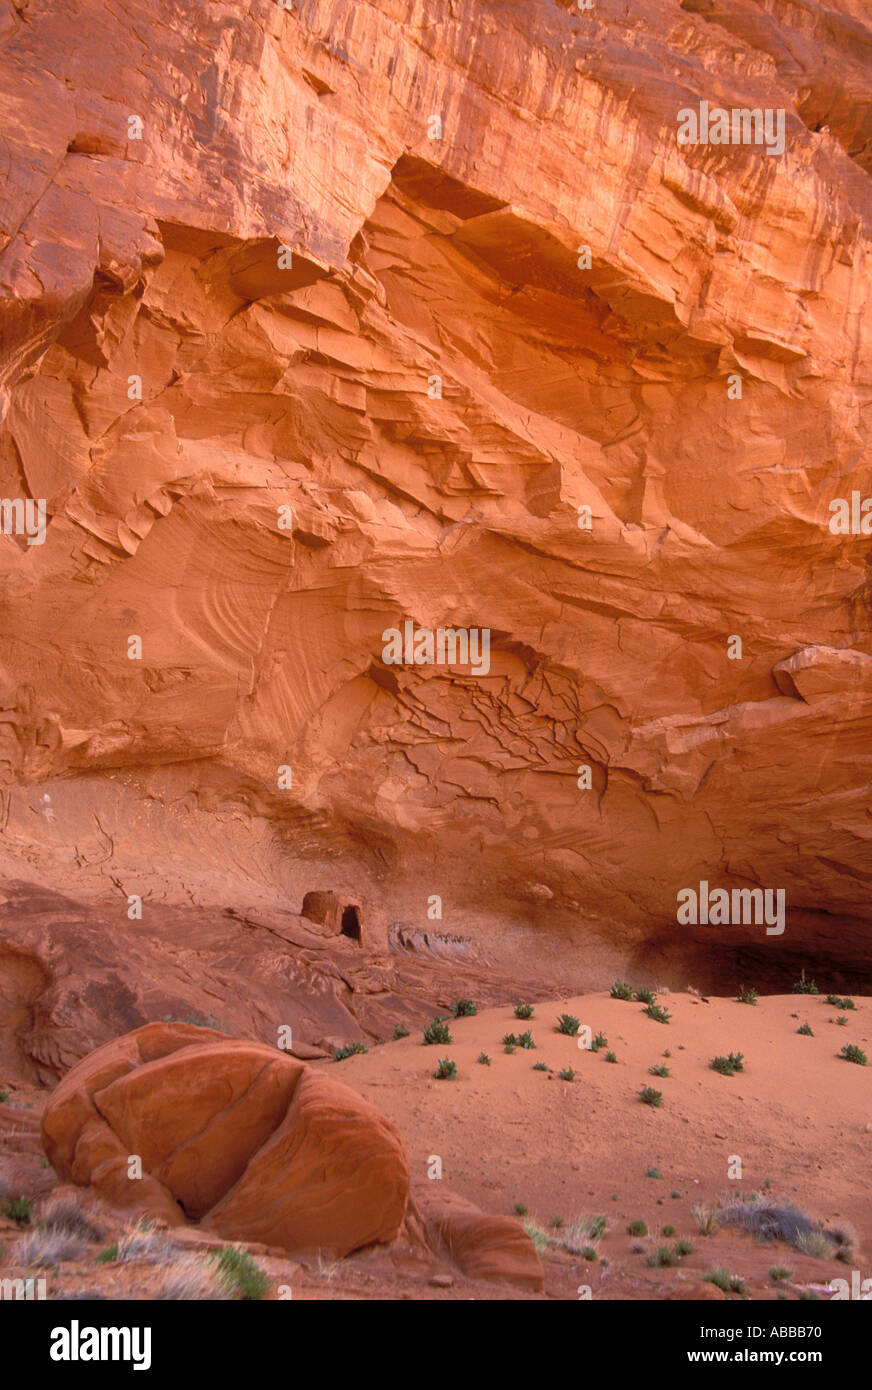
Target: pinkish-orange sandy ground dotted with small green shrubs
(799, 1120)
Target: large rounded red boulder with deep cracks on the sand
(233, 1135)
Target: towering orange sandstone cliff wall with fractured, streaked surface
(300, 347)
